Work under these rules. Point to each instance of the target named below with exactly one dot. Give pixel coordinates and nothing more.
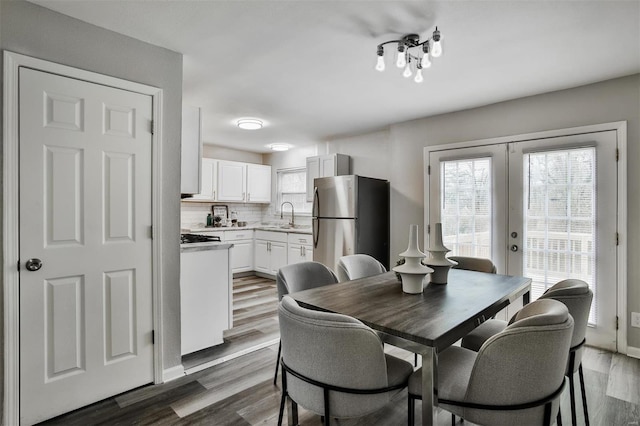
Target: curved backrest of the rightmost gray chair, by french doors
(577, 296)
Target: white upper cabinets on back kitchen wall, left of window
(233, 181)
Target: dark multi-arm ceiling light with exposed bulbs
(413, 54)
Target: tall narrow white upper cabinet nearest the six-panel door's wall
(191, 151)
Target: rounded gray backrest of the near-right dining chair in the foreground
(523, 363)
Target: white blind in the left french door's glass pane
(466, 208)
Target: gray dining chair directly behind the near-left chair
(297, 277)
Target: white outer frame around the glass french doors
(620, 127)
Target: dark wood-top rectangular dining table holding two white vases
(425, 323)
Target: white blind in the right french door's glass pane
(560, 219)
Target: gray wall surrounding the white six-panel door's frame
(35, 31)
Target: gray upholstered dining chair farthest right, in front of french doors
(577, 296)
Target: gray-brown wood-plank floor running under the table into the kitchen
(240, 391)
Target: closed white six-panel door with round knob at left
(85, 243)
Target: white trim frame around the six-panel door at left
(11, 214)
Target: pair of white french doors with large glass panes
(543, 208)
